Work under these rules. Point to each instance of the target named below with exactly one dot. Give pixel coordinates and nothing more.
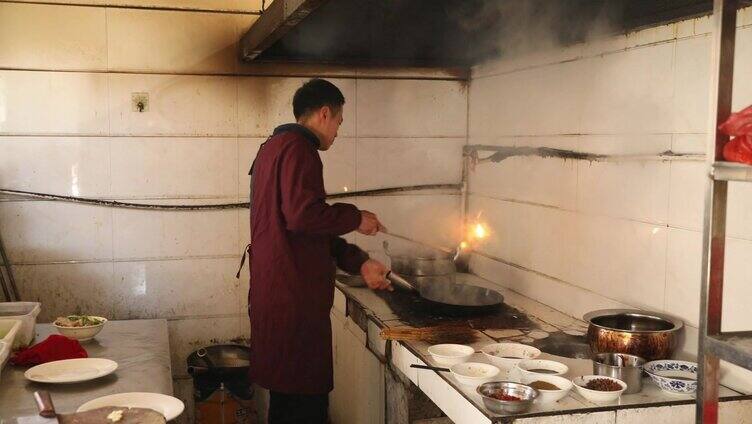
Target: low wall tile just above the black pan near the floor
(188, 335)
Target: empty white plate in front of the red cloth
(71, 370)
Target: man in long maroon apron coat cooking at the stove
(296, 244)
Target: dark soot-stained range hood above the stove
(440, 33)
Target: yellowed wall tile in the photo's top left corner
(52, 37)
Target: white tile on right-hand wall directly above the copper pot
(623, 260)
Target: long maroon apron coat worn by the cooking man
(293, 255)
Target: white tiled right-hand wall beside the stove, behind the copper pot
(585, 235)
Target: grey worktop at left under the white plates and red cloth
(140, 347)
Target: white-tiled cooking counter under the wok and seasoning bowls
(462, 403)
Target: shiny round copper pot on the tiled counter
(646, 334)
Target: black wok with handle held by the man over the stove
(450, 296)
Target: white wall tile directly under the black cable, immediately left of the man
(159, 234)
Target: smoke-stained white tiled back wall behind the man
(67, 127)
